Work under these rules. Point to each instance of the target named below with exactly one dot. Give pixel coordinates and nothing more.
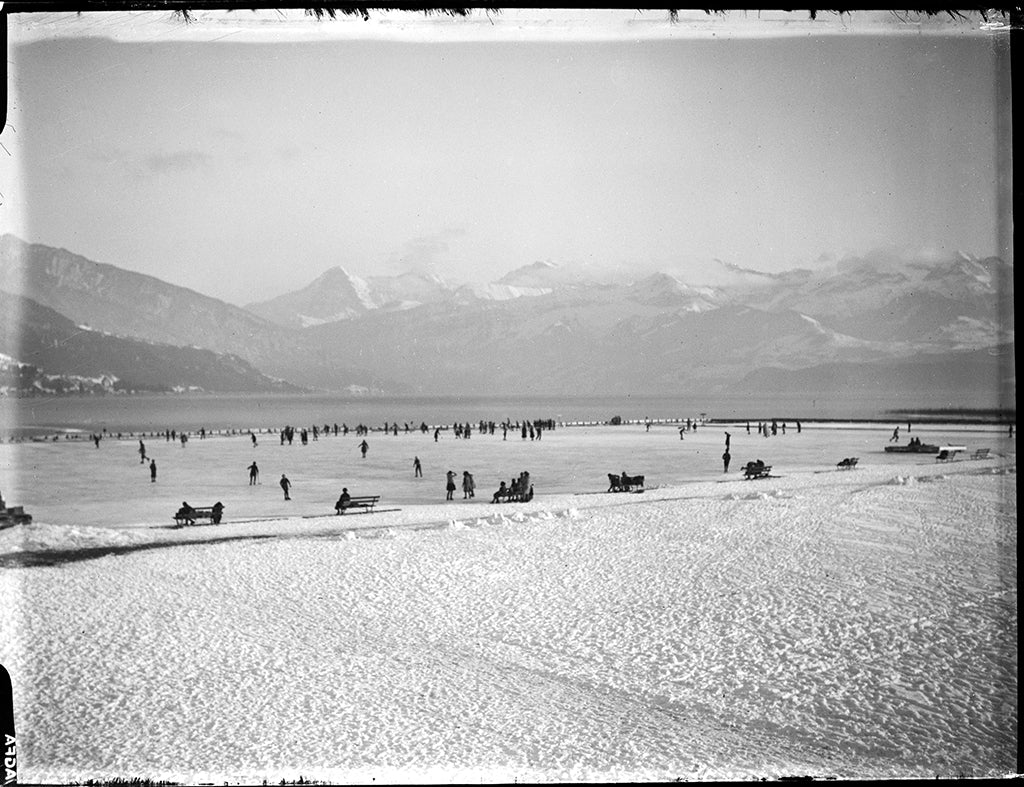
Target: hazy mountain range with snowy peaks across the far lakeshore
(917, 326)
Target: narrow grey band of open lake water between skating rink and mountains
(44, 417)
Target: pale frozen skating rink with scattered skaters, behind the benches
(72, 483)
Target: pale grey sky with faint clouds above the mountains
(246, 154)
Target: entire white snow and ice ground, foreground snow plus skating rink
(850, 624)
